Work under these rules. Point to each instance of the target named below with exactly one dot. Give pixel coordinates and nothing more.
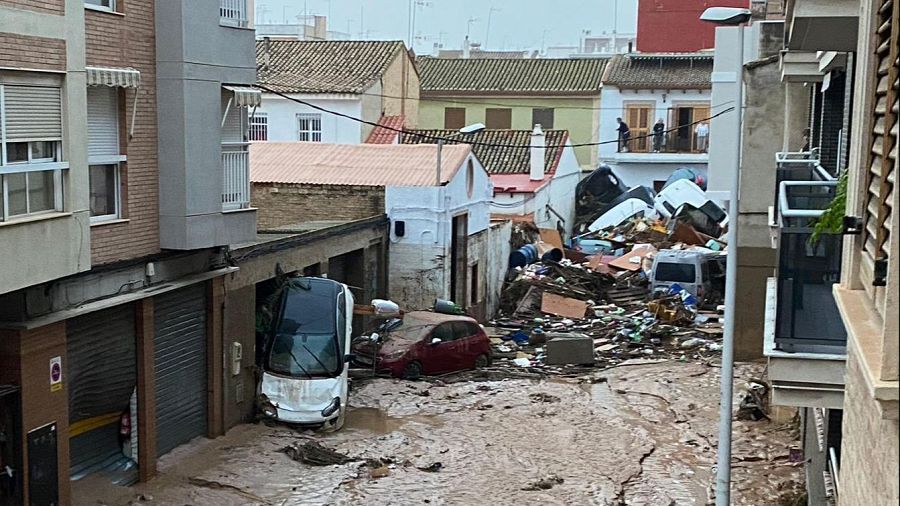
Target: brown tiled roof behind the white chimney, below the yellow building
(498, 159)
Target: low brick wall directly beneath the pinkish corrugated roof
(292, 204)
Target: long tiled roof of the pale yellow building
(572, 76)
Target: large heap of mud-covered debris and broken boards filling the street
(610, 299)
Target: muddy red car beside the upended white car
(426, 343)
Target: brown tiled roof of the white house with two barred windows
(330, 66)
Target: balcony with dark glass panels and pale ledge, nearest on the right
(805, 339)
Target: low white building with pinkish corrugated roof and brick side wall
(441, 242)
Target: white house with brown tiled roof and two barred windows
(358, 79)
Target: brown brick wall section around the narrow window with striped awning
(127, 39)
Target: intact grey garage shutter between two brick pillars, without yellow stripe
(180, 364)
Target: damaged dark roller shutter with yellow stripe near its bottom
(101, 375)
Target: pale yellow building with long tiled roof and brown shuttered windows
(503, 94)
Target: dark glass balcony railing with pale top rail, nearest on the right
(807, 318)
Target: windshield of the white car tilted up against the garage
(305, 355)
